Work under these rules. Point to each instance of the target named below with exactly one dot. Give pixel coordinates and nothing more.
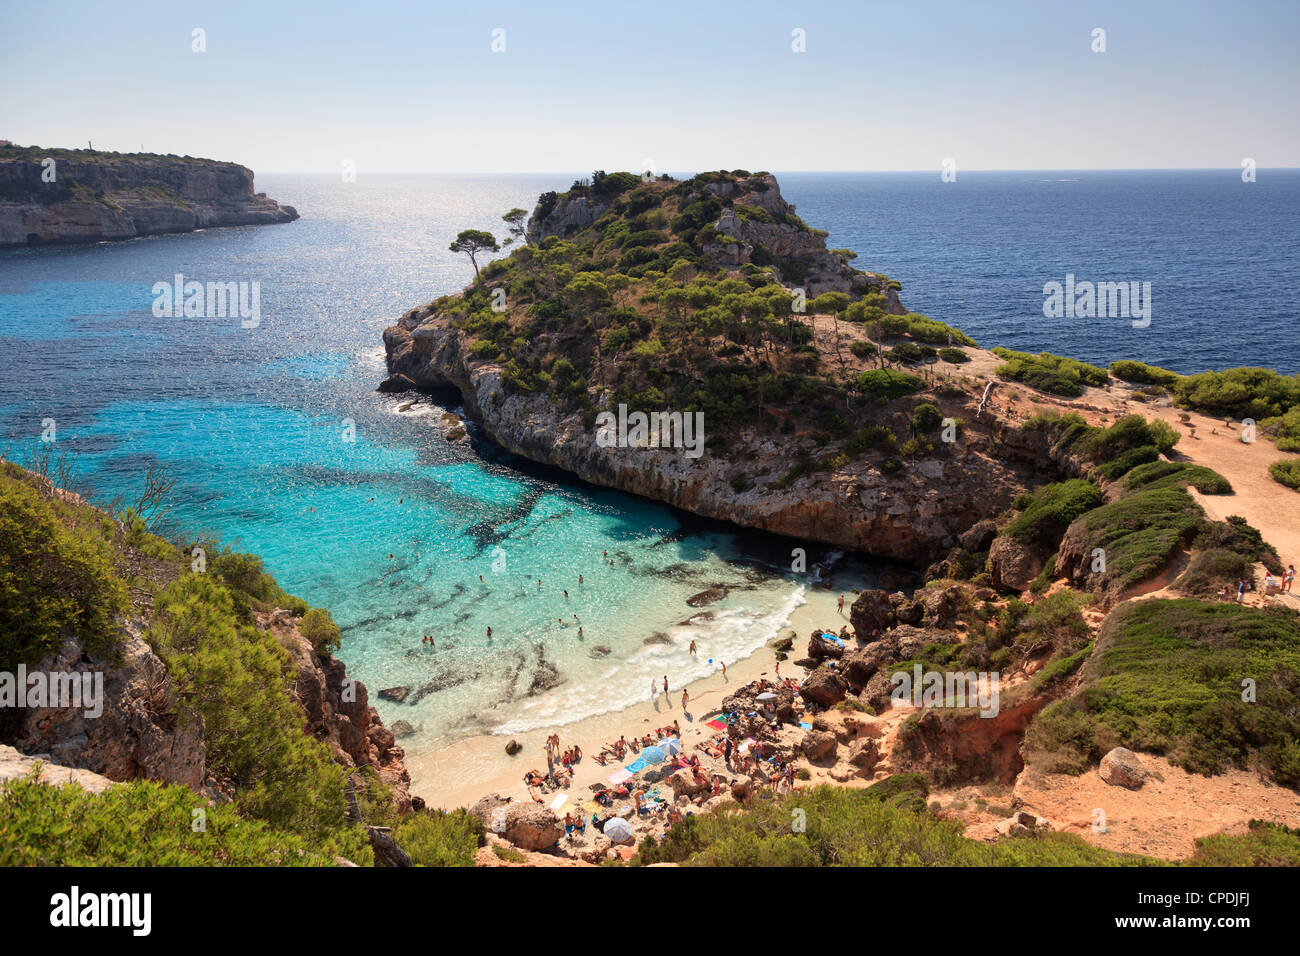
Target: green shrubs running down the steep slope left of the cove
(67, 570)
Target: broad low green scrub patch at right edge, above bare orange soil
(1168, 678)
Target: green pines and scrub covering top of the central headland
(647, 308)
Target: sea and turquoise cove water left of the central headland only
(393, 529)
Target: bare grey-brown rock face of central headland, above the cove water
(913, 516)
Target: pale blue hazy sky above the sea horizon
(677, 86)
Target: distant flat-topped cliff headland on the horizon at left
(77, 196)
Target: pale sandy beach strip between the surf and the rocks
(462, 773)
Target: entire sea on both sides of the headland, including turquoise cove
(254, 422)
